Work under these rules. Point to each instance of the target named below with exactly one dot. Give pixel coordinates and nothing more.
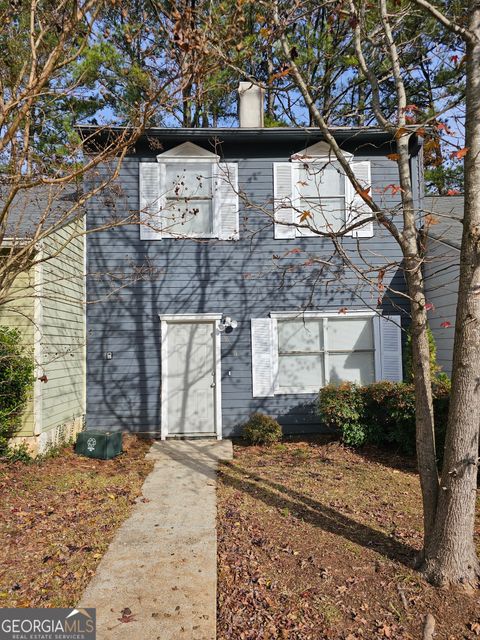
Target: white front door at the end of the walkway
(190, 379)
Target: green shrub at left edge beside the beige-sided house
(16, 379)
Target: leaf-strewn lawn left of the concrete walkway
(58, 517)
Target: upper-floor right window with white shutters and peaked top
(313, 194)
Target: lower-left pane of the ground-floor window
(301, 373)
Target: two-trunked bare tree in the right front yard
(449, 507)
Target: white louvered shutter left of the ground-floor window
(264, 356)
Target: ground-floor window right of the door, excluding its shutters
(313, 352)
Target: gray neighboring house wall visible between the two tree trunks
(442, 267)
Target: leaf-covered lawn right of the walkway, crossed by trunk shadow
(317, 541)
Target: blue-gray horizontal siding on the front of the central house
(242, 279)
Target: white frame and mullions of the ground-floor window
(314, 315)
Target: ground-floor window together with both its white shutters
(300, 354)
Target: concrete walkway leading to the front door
(162, 562)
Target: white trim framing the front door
(165, 320)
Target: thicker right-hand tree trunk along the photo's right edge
(450, 554)
